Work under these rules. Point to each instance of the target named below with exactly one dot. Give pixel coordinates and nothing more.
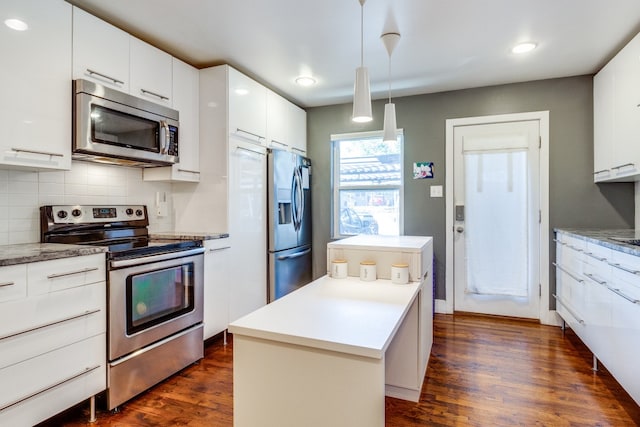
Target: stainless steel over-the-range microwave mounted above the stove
(114, 127)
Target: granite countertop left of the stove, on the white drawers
(34, 252)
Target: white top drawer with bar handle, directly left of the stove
(59, 274)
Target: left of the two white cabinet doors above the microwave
(100, 51)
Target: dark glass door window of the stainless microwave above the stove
(125, 130)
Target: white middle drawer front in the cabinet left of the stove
(23, 315)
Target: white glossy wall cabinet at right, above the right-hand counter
(616, 100)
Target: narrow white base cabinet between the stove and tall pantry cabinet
(216, 286)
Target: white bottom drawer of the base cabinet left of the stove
(39, 374)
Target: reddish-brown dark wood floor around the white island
(483, 371)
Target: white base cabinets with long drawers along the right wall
(601, 303)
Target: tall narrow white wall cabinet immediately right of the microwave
(186, 84)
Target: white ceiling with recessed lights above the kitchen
(445, 44)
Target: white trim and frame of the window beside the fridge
(335, 229)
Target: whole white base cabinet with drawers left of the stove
(52, 337)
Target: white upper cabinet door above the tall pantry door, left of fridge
(247, 107)
